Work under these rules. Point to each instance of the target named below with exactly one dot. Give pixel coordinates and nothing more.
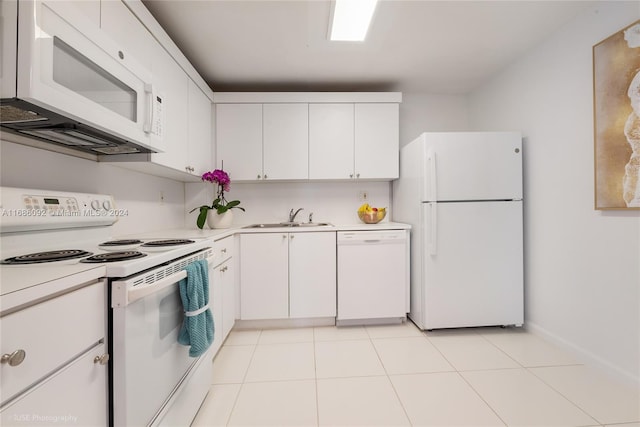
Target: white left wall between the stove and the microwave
(28, 167)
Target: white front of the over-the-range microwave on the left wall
(70, 67)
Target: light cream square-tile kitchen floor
(400, 376)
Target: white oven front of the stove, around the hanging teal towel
(152, 374)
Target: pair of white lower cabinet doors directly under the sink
(287, 275)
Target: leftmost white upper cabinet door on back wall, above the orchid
(239, 140)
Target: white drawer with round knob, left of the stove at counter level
(51, 334)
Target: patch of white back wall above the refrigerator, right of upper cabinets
(424, 112)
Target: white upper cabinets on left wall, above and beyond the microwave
(187, 145)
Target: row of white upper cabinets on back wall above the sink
(309, 135)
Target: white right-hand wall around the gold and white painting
(582, 266)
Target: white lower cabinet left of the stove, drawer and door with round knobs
(56, 361)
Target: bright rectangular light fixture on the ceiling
(351, 19)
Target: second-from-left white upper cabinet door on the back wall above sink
(286, 141)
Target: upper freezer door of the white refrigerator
(472, 166)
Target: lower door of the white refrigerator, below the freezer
(473, 266)
